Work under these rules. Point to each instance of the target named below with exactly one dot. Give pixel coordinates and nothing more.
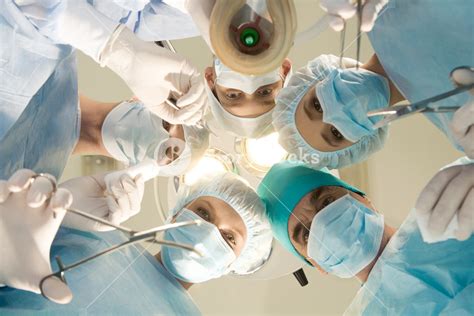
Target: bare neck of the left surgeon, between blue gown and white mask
(93, 114)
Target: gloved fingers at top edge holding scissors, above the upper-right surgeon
(340, 10)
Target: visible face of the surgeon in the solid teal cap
(302, 216)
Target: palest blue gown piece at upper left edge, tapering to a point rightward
(27, 60)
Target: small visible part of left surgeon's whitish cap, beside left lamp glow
(197, 138)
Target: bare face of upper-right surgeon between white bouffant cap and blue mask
(309, 121)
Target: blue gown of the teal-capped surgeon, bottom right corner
(412, 277)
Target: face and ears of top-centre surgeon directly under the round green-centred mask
(242, 104)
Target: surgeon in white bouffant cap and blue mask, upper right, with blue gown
(323, 111)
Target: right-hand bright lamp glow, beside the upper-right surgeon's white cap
(264, 152)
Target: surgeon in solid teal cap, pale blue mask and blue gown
(335, 228)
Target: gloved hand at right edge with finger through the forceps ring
(462, 124)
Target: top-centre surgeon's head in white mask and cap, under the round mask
(243, 104)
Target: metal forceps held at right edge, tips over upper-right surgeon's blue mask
(396, 112)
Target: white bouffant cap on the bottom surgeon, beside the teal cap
(236, 192)
